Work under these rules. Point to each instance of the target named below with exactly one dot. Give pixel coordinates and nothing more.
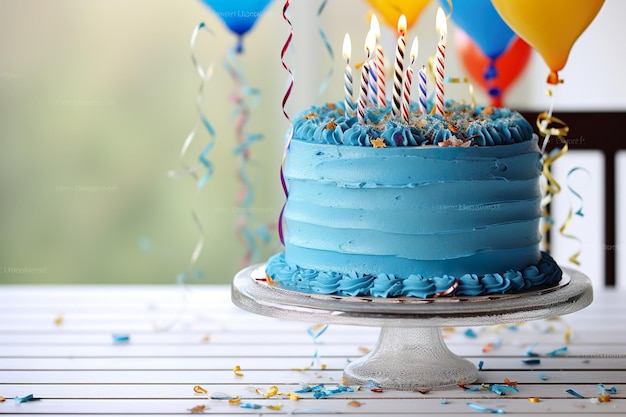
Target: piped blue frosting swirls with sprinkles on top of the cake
(462, 125)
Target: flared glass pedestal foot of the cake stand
(410, 358)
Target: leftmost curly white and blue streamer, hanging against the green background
(205, 75)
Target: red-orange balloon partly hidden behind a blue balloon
(508, 66)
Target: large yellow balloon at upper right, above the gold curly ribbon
(550, 26)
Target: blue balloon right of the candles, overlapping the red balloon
(480, 20)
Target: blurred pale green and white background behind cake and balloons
(98, 96)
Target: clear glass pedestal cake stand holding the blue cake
(410, 353)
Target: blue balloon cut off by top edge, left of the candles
(239, 16)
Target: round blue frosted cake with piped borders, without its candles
(439, 206)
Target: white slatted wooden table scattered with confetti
(153, 350)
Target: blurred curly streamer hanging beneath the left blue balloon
(245, 196)
